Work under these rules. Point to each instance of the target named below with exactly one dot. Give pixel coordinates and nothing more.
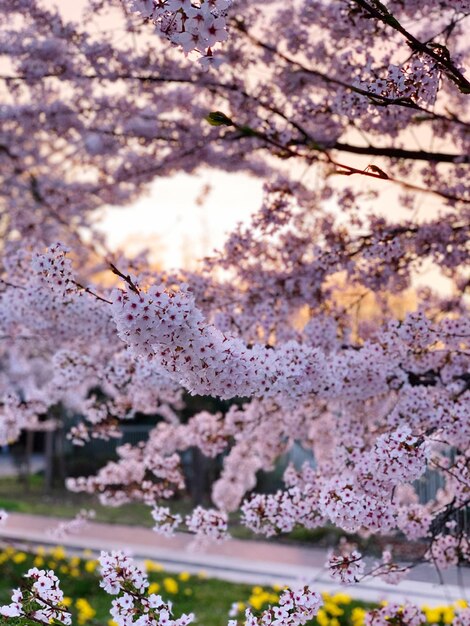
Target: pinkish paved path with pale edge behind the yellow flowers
(253, 562)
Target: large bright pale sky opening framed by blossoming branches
(169, 221)
